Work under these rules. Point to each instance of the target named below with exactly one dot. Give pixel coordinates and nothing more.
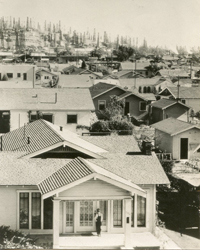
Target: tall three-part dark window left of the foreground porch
(30, 210)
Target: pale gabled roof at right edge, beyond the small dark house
(183, 92)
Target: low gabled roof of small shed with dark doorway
(173, 126)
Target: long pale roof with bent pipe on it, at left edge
(46, 99)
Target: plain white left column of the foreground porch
(56, 215)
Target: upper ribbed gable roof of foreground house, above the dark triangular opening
(44, 136)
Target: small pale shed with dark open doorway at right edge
(179, 138)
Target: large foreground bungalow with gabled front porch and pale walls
(55, 196)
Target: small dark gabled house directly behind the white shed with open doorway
(165, 108)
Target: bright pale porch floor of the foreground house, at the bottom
(107, 241)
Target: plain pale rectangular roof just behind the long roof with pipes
(75, 81)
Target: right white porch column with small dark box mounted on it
(127, 226)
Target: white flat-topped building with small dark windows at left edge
(17, 71)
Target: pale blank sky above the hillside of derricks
(161, 22)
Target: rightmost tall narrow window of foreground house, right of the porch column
(141, 211)
